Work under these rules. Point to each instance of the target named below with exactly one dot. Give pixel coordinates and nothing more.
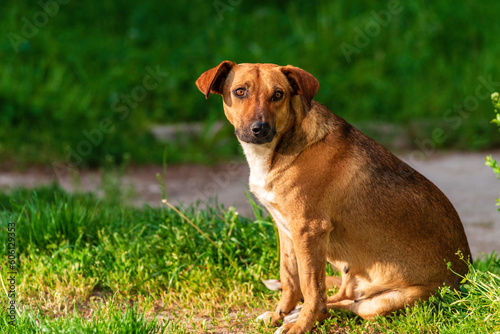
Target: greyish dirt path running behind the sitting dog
(469, 184)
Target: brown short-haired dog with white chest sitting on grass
(338, 196)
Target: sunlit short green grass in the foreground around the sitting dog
(88, 265)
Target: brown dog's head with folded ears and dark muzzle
(258, 98)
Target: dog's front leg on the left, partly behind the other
(289, 276)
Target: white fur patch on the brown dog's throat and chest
(258, 159)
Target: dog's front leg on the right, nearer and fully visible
(310, 241)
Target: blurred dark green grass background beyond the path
(66, 69)
